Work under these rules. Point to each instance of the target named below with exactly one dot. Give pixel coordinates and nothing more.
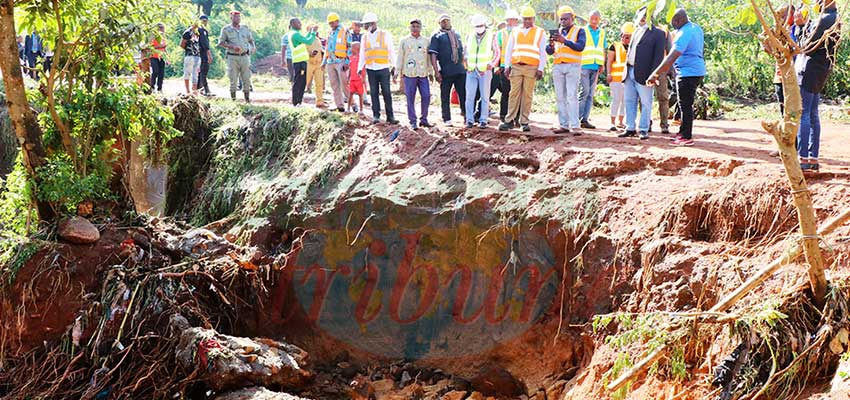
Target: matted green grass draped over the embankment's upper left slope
(267, 153)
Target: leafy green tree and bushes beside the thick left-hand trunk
(88, 112)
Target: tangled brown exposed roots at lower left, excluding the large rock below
(121, 345)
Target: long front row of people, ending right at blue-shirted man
(510, 60)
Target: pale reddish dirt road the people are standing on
(744, 140)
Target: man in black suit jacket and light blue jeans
(645, 54)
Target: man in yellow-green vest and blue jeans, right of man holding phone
(592, 64)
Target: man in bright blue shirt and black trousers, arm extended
(687, 57)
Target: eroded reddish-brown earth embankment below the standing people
(462, 263)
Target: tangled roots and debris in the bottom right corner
(785, 346)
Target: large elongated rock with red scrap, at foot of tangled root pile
(227, 362)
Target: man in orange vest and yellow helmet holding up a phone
(567, 44)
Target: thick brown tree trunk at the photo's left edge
(23, 119)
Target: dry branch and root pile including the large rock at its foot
(123, 343)
